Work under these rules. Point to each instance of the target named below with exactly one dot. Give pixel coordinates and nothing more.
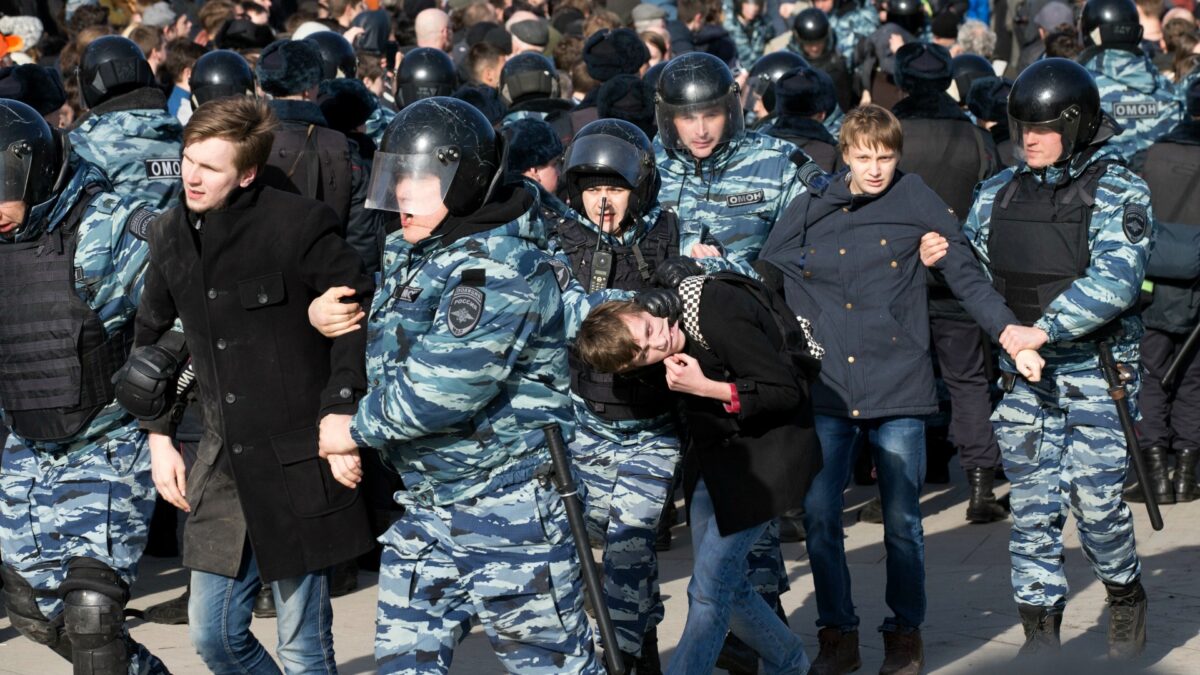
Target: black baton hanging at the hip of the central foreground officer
(566, 487)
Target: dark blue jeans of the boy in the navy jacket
(898, 445)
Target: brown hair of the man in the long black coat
(243, 121)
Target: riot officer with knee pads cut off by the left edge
(73, 255)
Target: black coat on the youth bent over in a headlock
(759, 463)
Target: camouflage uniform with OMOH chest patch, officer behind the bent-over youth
(735, 195)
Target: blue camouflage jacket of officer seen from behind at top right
(1137, 95)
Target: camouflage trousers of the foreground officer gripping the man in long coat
(507, 559)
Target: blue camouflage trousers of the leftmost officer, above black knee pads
(93, 501)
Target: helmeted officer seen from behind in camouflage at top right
(1132, 89)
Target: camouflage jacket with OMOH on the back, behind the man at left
(140, 151)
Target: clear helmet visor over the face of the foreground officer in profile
(412, 184)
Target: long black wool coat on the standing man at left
(242, 284)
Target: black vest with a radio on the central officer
(643, 396)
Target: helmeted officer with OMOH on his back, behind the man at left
(128, 132)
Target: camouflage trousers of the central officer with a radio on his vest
(626, 488)
